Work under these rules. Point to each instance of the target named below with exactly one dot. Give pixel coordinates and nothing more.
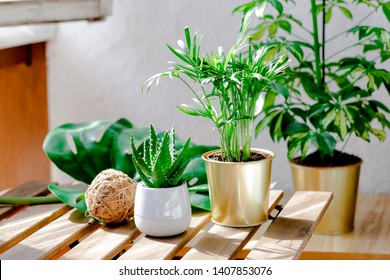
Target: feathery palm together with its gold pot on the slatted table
(229, 89)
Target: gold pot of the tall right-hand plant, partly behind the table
(343, 181)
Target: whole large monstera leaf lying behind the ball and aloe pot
(83, 150)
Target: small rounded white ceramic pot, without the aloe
(162, 212)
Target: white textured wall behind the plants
(95, 71)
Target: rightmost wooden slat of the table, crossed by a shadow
(287, 236)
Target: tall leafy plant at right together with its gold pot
(327, 94)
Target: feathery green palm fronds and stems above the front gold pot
(228, 87)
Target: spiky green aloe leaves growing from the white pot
(159, 163)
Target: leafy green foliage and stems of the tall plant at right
(327, 93)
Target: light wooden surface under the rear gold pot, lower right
(369, 240)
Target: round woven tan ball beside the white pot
(110, 197)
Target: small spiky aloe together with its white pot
(162, 204)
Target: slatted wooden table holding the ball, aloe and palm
(57, 231)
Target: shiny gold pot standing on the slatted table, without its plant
(239, 190)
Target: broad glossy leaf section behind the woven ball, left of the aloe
(77, 150)
